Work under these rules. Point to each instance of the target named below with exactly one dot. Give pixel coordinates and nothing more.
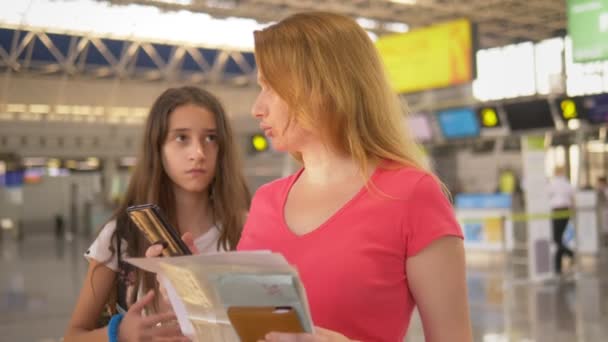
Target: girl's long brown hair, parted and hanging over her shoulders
(228, 192)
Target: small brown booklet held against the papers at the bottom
(253, 323)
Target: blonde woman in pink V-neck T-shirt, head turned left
(365, 222)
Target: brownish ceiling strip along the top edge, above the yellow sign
(499, 22)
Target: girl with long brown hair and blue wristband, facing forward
(188, 165)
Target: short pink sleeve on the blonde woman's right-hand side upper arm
(429, 216)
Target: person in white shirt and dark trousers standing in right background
(561, 200)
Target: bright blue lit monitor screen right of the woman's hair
(458, 123)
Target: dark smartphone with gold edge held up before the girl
(157, 230)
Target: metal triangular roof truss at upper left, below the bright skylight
(35, 52)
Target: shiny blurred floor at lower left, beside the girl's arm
(39, 282)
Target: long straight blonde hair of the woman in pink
(328, 71)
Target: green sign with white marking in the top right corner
(588, 28)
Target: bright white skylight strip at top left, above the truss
(131, 22)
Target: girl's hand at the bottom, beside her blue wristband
(135, 327)
